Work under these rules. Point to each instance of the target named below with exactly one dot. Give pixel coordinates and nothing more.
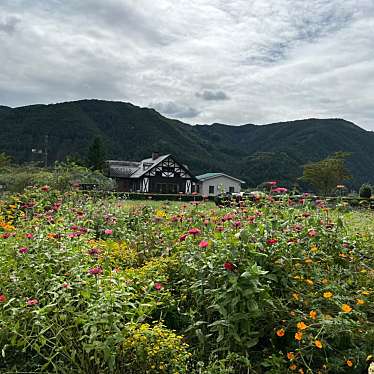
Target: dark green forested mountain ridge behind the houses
(250, 152)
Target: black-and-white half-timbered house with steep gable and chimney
(158, 174)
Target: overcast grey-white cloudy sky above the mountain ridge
(200, 61)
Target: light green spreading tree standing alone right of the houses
(326, 174)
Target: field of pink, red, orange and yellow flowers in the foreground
(92, 284)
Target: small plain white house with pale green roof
(212, 184)
